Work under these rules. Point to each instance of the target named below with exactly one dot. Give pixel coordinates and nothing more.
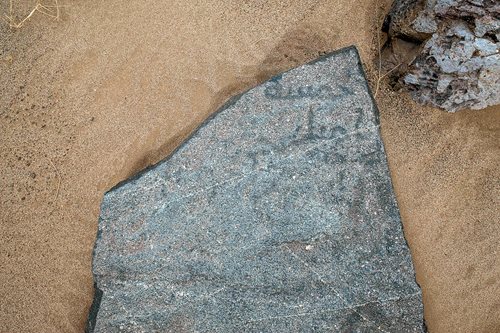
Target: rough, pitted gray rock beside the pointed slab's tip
(459, 64)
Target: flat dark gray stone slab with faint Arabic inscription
(277, 215)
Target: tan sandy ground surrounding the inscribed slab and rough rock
(114, 86)
